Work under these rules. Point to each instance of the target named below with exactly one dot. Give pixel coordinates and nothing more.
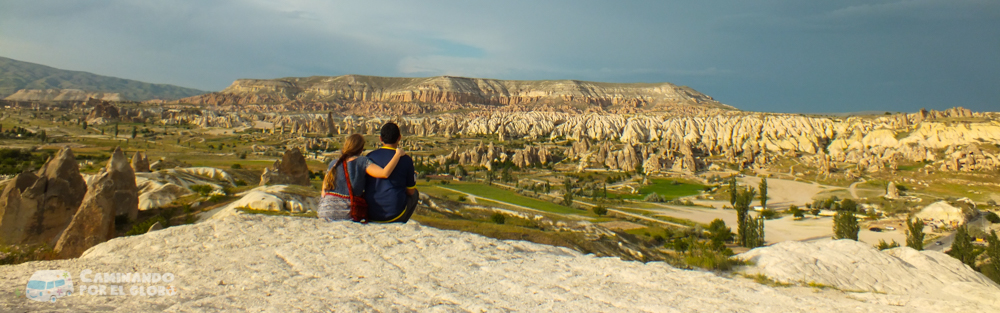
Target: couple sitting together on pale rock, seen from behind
(385, 178)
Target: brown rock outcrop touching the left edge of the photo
(36, 208)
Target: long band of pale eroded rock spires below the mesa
(679, 142)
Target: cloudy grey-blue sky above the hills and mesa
(768, 55)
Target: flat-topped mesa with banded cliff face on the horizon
(447, 89)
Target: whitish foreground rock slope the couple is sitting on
(281, 264)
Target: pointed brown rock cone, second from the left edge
(113, 193)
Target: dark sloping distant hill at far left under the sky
(16, 75)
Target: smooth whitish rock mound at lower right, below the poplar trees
(854, 266)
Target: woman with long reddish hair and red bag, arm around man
(335, 204)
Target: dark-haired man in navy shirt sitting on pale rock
(393, 199)
